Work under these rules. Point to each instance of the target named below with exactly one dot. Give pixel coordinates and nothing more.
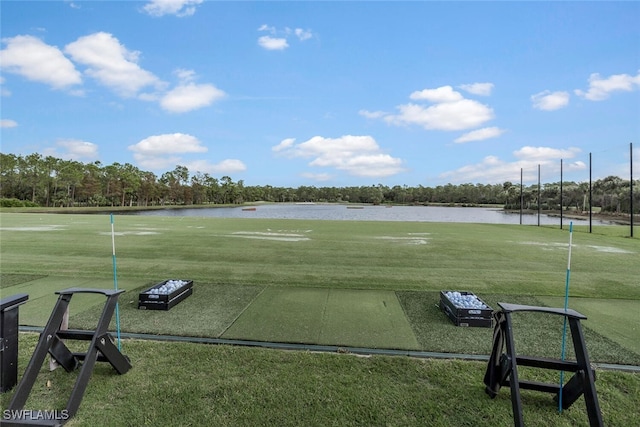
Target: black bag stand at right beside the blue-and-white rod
(503, 368)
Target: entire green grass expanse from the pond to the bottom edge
(345, 283)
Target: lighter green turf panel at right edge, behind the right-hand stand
(618, 320)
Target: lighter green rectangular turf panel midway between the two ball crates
(357, 318)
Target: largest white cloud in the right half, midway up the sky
(450, 111)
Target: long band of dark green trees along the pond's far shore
(52, 182)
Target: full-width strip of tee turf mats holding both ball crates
(403, 320)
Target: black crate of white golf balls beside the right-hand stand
(466, 309)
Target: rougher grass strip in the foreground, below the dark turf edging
(184, 384)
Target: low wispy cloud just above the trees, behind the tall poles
(492, 169)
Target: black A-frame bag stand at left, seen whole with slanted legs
(101, 349)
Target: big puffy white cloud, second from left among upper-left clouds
(111, 64)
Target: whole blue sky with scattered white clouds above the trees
(327, 93)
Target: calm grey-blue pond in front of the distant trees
(370, 213)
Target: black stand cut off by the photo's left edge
(9, 340)
